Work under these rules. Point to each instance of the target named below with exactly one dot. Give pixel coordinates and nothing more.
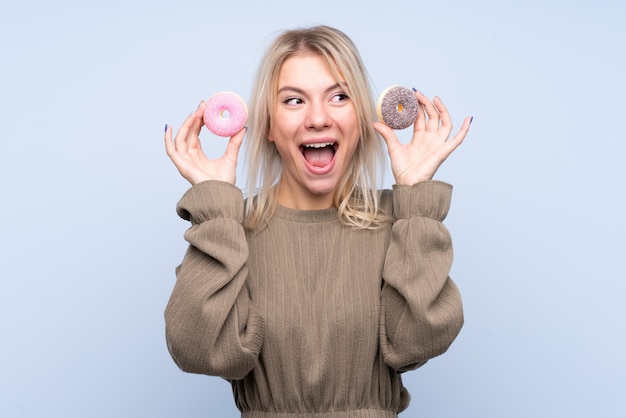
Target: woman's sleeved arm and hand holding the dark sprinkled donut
(420, 306)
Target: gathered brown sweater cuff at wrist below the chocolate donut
(429, 199)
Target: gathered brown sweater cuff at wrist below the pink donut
(210, 200)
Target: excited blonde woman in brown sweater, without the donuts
(313, 295)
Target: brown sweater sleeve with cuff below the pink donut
(211, 324)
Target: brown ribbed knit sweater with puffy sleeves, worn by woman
(309, 316)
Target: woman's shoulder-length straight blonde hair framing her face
(356, 197)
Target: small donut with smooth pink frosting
(225, 113)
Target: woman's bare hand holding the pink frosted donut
(186, 152)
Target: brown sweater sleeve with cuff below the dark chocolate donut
(421, 310)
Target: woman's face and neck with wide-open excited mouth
(315, 129)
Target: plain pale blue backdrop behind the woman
(89, 238)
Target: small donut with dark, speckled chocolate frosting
(397, 107)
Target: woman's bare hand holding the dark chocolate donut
(430, 146)
